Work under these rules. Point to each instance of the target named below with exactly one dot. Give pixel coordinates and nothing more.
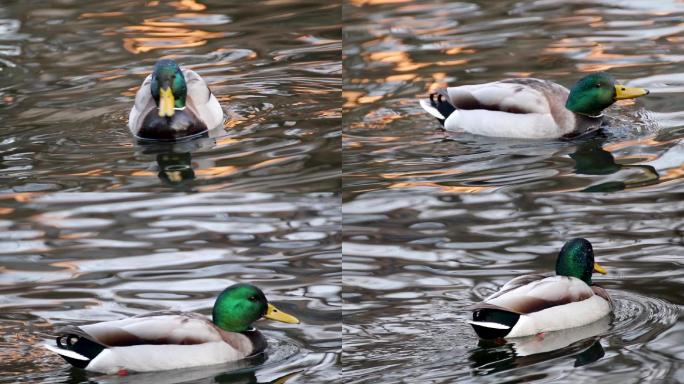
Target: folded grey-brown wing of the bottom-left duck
(184, 329)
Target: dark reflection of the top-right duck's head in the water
(593, 160)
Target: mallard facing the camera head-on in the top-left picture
(173, 103)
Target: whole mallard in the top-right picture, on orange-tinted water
(527, 108)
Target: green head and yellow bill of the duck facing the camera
(168, 87)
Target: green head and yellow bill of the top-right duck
(598, 91)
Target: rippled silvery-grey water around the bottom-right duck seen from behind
(414, 262)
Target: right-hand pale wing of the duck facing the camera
(202, 101)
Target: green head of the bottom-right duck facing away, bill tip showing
(576, 259)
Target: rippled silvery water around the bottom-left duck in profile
(82, 258)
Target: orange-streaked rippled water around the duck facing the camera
(69, 71)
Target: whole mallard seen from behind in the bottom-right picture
(533, 304)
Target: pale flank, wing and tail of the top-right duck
(525, 108)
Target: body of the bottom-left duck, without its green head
(154, 342)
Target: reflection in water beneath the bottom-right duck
(581, 344)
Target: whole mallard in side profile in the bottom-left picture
(171, 340)
